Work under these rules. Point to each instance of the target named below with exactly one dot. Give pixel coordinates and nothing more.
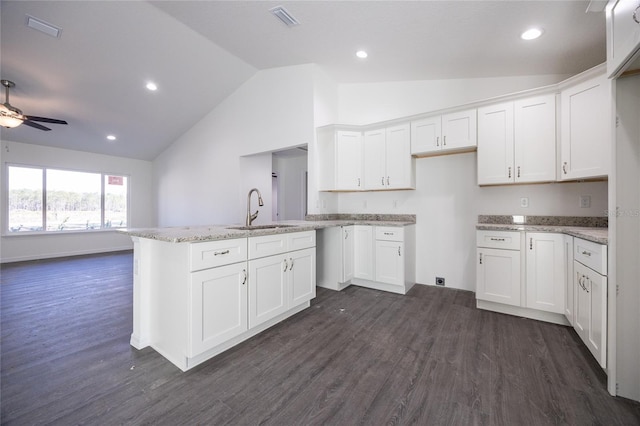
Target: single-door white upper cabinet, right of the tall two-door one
(585, 135)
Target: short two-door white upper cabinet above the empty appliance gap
(455, 132)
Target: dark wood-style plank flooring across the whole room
(358, 356)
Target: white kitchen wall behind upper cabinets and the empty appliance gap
(447, 200)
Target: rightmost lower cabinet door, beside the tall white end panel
(597, 329)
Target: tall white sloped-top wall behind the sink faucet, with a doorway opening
(200, 178)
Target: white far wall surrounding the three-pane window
(29, 247)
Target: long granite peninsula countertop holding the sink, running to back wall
(183, 234)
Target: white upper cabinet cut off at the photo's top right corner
(623, 36)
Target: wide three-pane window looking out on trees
(53, 200)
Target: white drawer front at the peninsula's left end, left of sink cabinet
(217, 253)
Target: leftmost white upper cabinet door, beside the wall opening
(348, 160)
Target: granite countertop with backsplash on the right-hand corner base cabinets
(589, 228)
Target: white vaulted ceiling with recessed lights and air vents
(199, 52)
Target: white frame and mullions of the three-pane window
(6, 232)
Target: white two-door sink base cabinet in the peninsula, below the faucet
(280, 281)
